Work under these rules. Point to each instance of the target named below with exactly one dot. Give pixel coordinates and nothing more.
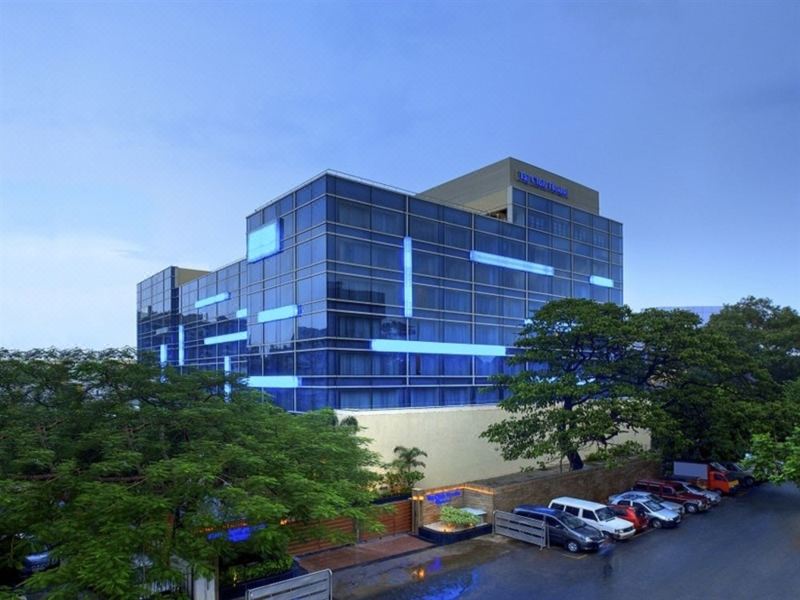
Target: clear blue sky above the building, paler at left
(138, 135)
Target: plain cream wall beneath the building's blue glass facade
(450, 436)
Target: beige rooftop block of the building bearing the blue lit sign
(488, 189)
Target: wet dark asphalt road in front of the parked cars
(747, 548)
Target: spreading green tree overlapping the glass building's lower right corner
(585, 373)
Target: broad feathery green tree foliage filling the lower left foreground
(108, 461)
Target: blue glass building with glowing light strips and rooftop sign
(356, 295)
